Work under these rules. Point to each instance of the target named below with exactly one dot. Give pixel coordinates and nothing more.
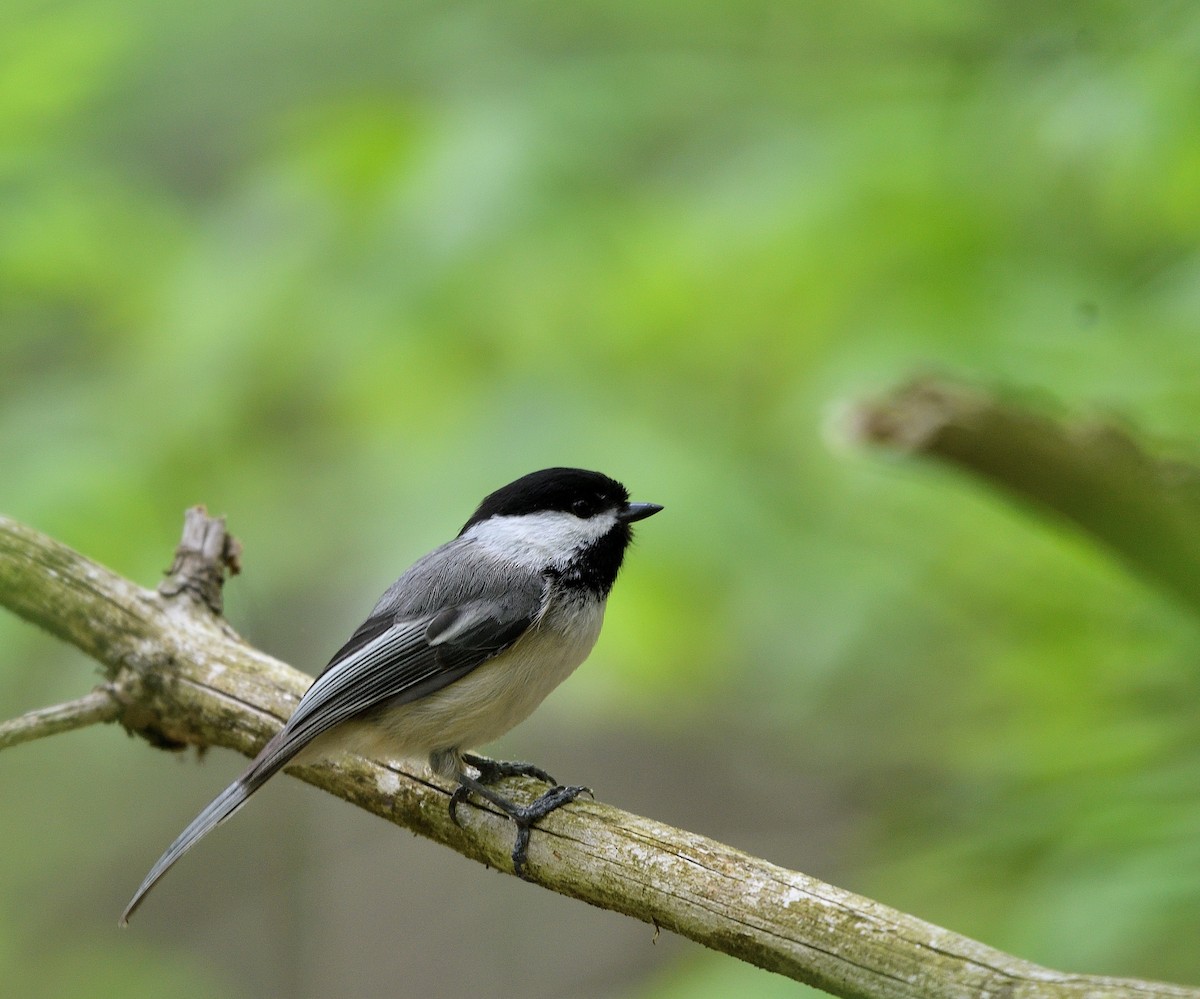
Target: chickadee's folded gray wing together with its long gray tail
(445, 618)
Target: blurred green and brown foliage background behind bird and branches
(338, 271)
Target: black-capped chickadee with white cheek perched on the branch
(460, 649)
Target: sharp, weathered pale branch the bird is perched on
(182, 677)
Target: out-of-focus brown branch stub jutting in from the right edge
(1094, 475)
